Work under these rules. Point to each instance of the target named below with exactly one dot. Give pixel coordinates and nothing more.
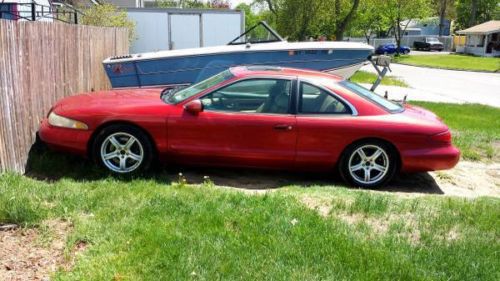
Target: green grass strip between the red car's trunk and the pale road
(475, 128)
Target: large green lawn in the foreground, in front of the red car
(144, 228)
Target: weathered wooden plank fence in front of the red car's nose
(41, 63)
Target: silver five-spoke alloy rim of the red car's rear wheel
(368, 164)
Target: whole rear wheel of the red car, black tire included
(358, 167)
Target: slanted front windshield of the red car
(185, 93)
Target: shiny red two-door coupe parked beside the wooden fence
(254, 117)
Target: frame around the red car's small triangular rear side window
(348, 105)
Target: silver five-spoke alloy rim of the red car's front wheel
(122, 152)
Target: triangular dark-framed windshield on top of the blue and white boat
(259, 33)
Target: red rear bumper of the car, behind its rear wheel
(433, 159)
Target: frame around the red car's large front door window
(291, 100)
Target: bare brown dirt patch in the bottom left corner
(33, 254)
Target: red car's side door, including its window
(247, 123)
